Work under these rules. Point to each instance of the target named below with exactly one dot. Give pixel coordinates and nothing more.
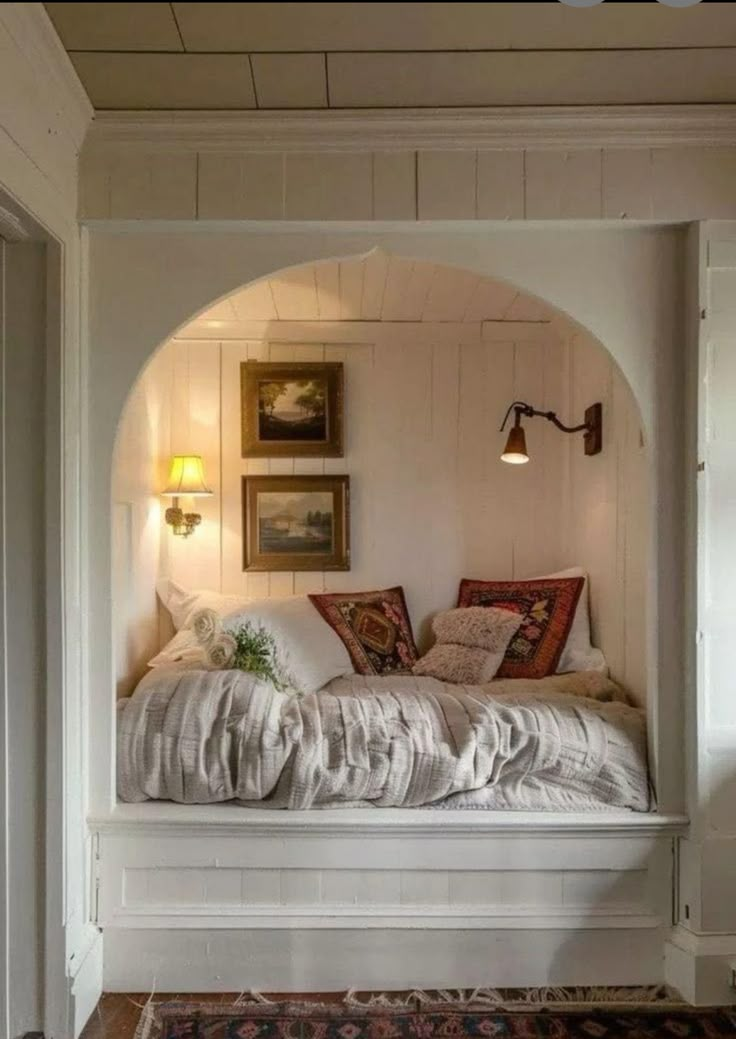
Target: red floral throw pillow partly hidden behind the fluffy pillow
(547, 608)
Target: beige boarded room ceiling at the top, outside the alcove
(215, 57)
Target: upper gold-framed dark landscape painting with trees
(292, 410)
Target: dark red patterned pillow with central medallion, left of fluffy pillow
(375, 627)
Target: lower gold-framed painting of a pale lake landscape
(297, 523)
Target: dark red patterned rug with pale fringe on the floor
(450, 1021)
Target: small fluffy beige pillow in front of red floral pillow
(471, 644)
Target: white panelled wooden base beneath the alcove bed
(381, 899)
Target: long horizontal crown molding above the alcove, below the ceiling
(651, 126)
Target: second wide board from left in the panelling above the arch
(241, 188)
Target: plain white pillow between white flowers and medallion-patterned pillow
(309, 651)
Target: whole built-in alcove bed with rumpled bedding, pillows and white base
(512, 836)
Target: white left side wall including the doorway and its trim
(44, 116)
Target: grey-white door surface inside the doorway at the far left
(24, 348)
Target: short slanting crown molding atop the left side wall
(30, 25)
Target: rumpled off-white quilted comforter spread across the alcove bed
(560, 743)
